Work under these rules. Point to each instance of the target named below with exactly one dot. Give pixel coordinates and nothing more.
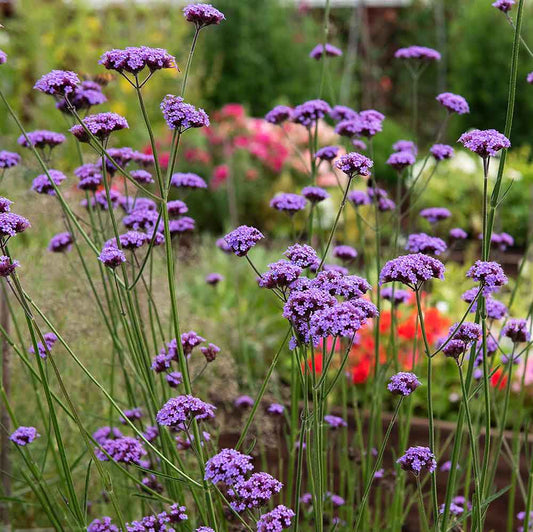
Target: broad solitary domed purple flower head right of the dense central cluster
(412, 270)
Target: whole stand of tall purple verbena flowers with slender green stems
(321, 484)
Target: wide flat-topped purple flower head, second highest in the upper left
(135, 58)
